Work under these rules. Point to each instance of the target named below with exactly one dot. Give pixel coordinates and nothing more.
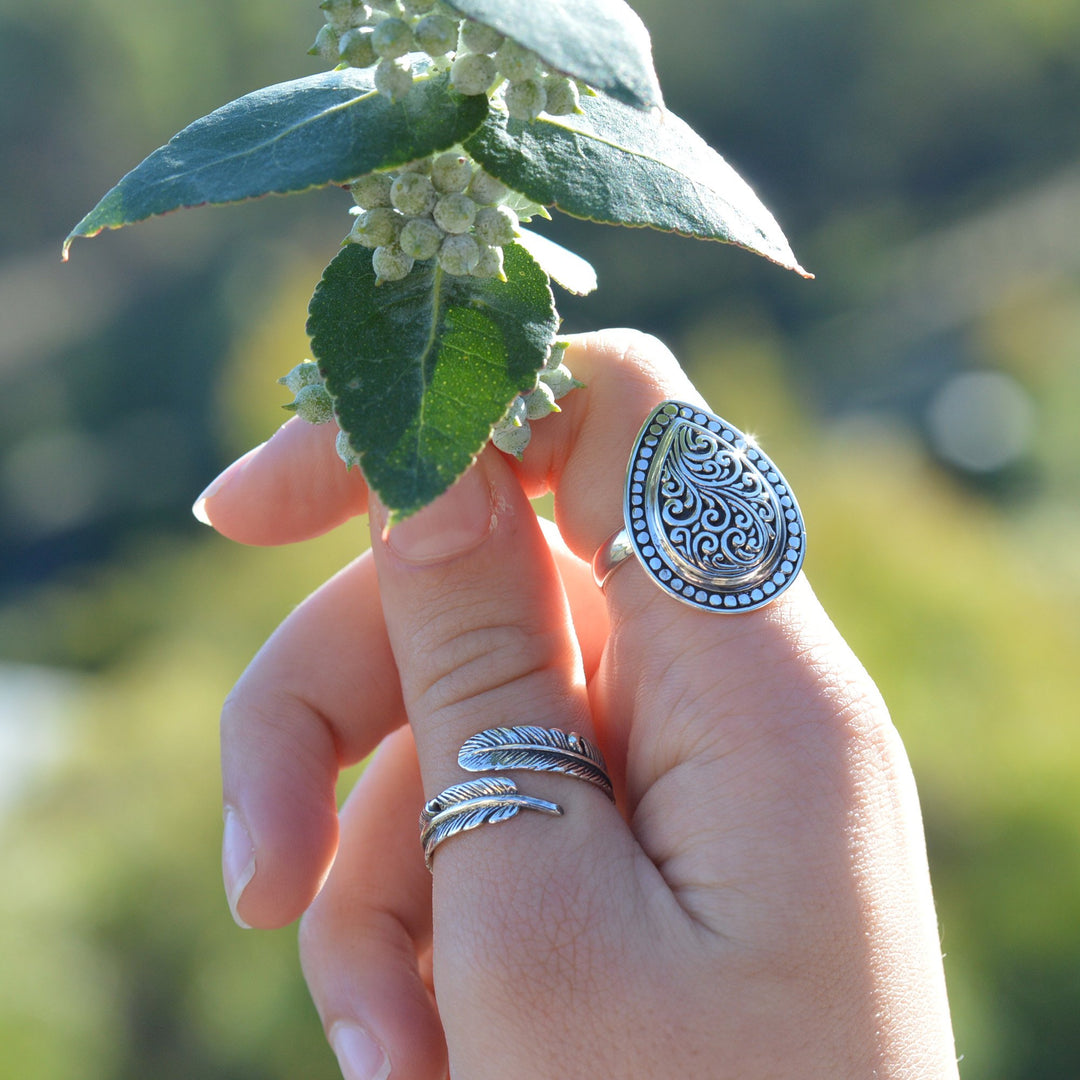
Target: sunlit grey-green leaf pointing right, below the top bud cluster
(624, 167)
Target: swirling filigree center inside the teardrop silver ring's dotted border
(717, 511)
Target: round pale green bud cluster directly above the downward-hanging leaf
(443, 208)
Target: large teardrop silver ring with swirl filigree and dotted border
(708, 515)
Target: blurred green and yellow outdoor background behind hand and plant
(923, 396)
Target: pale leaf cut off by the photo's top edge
(602, 43)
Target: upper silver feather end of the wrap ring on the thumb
(538, 750)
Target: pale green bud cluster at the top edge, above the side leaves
(385, 34)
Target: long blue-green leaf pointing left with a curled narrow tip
(326, 129)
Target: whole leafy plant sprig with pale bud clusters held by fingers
(435, 328)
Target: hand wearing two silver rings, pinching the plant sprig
(758, 906)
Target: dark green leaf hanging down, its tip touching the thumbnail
(422, 369)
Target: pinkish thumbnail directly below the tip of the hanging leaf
(454, 524)
